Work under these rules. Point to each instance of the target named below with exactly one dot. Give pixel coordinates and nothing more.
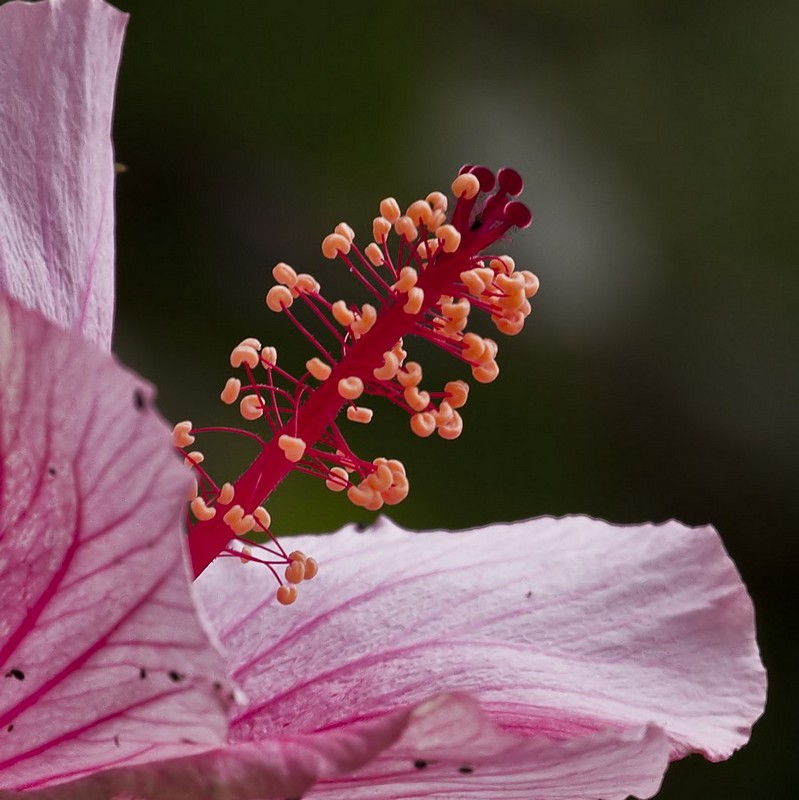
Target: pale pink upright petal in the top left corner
(58, 65)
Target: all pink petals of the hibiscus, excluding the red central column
(553, 659)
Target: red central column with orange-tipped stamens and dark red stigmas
(427, 270)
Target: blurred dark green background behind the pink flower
(659, 141)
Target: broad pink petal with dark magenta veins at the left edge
(103, 661)
